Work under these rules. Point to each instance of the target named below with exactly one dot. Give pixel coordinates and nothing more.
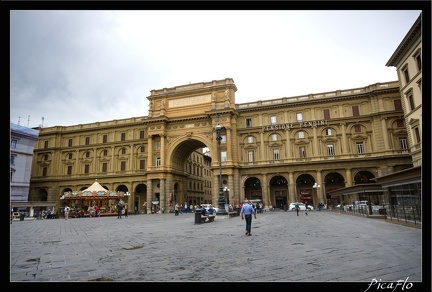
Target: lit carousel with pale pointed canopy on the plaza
(93, 201)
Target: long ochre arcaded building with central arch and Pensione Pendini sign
(280, 151)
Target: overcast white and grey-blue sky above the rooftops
(75, 67)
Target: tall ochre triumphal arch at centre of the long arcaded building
(183, 119)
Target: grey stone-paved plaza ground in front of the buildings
(324, 246)
